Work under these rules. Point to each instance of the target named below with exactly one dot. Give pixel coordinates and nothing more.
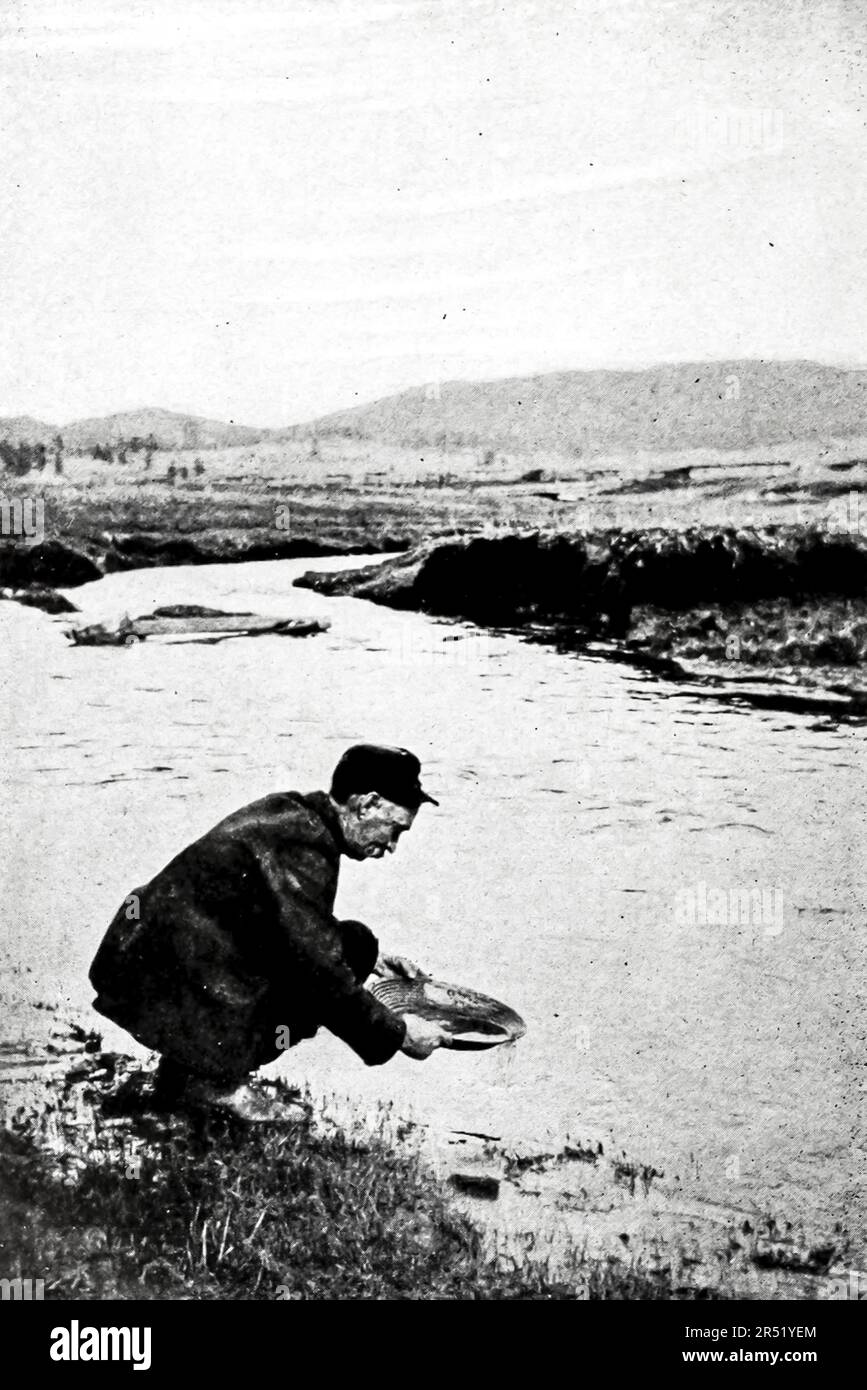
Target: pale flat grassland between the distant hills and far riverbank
(366, 494)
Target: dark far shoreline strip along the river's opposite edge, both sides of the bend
(763, 610)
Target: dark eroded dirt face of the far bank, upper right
(593, 578)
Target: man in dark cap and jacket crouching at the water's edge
(233, 953)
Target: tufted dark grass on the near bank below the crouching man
(108, 1209)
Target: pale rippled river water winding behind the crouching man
(590, 819)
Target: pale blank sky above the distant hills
(262, 212)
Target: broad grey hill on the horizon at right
(734, 404)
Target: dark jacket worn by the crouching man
(236, 939)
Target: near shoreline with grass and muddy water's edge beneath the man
(479, 1221)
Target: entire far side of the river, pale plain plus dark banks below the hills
(713, 557)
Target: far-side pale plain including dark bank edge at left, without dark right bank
(342, 497)
